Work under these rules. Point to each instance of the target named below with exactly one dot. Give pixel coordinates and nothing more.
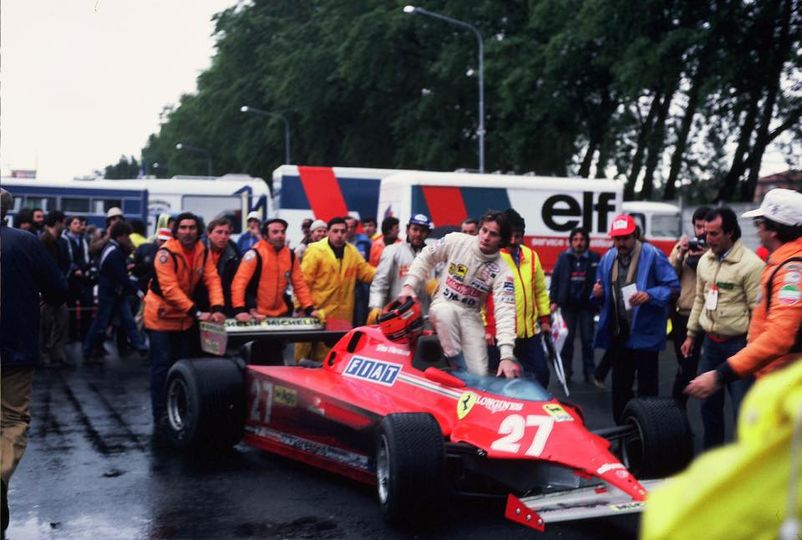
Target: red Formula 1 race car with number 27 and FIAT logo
(382, 411)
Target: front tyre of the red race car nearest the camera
(410, 457)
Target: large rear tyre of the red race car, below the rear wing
(205, 403)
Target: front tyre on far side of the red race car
(661, 443)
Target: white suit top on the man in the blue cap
(390, 274)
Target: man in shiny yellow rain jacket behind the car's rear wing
(331, 268)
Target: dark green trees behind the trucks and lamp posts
(665, 95)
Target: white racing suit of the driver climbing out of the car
(469, 276)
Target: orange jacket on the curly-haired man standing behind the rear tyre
(168, 304)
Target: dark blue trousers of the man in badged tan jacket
(713, 355)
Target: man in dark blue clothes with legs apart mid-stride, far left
(113, 286)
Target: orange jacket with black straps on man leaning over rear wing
(278, 269)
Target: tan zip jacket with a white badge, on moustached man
(737, 279)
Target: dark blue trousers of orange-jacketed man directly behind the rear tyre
(165, 349)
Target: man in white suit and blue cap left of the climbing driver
(394, 265)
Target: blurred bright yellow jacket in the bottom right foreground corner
(745, 490)
